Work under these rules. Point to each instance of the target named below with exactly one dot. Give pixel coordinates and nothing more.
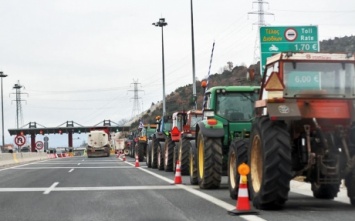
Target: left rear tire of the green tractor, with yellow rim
(209, 162)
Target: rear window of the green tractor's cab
(236, 106)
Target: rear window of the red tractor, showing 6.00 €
(330, 79)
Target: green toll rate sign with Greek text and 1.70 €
(274, 40)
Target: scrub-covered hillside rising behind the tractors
(181, 98)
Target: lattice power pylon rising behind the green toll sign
(261, 23)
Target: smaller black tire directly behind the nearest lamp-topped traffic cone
(237, 155)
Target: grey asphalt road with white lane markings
(79, 188)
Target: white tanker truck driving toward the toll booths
(98, 144)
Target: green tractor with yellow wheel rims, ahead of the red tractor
(227, 118)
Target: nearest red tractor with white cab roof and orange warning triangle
(304, 126)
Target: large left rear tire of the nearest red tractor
(269, 157)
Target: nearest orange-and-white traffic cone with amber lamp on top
(243, 205)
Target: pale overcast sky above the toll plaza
(78, 60)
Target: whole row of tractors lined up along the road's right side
(300, 121)
